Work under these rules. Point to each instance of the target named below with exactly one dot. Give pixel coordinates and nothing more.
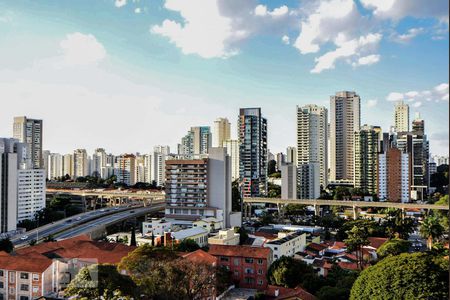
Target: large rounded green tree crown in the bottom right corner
(405, 276)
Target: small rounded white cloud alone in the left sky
(82, 49)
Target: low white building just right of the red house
(287, 244)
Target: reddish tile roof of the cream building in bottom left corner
(29, 263)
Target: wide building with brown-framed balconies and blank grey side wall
(199, 187)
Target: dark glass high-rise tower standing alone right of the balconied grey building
(252, 132)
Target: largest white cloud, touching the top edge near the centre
(215, 28)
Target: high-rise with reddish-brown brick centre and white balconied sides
(393, 176)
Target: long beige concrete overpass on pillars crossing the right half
(355, 205)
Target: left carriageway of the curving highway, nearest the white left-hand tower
(74, 222)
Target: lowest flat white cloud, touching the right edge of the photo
(417, 98)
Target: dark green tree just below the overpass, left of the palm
(397, 225)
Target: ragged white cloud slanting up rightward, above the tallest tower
(348, 49)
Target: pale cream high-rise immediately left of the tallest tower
(312, 146)
